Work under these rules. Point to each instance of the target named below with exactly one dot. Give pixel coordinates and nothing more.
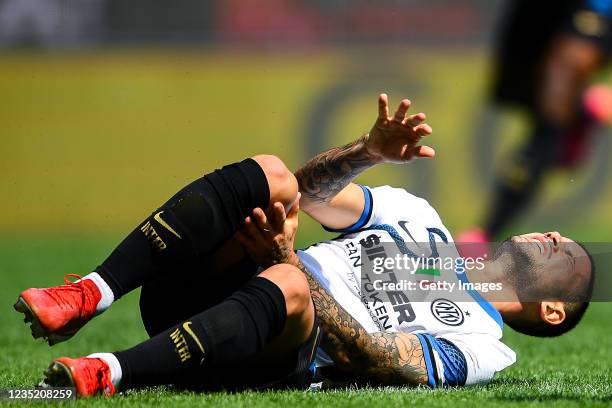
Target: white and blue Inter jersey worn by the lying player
(460, 337)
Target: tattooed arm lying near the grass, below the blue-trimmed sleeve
(386, 358)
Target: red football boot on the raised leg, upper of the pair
(57, 313)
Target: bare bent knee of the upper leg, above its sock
(281, 181)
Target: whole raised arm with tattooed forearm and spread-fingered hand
(328, 194)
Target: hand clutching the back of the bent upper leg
(269, 240)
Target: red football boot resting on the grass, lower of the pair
(89, 376)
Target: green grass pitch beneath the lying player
(569, 371)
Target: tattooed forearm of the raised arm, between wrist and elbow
(326, 174)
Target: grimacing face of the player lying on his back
(557, 263)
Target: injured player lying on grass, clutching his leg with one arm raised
(228, 303)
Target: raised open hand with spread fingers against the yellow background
(394, 139)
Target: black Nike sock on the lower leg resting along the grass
(227, 333)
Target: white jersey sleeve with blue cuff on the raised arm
(384, 204)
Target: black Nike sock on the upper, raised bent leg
(193, 223)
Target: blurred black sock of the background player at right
(516, 188)
